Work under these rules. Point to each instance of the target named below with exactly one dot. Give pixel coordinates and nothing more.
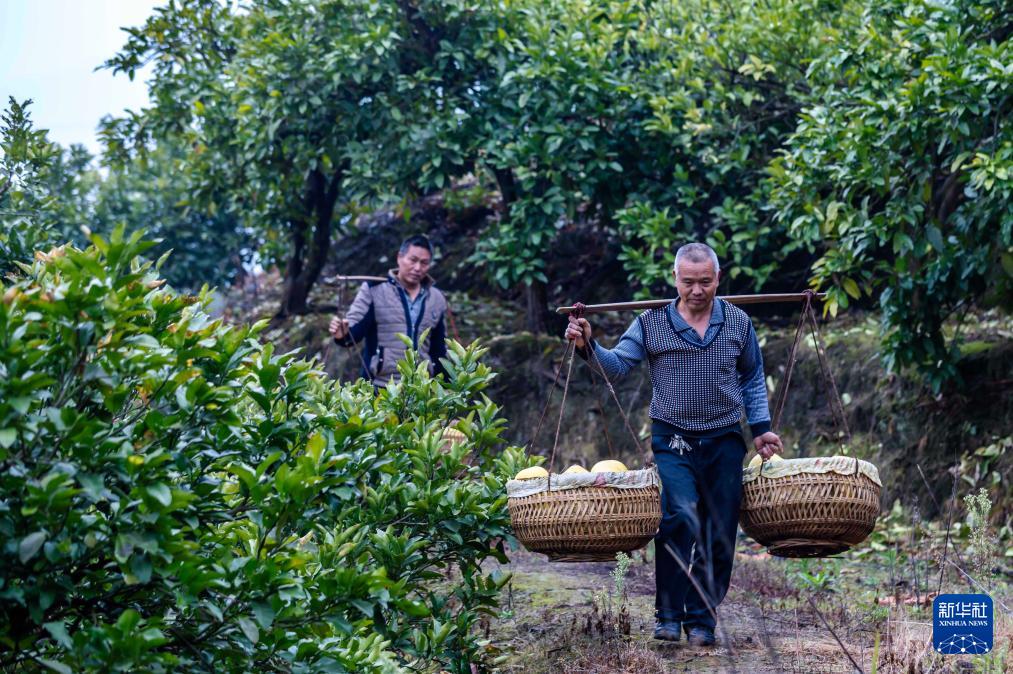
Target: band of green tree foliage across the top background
(859, 147)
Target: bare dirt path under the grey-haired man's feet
(762, 629)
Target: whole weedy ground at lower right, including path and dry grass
(805, 618)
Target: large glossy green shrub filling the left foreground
(175, 495)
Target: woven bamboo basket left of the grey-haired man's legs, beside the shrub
(588, 523)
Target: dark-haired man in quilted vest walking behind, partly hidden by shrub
(407, 304)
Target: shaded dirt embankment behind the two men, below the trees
(895, 421)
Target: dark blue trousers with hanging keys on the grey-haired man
(702, 492)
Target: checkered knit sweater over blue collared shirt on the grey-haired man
(700, 387)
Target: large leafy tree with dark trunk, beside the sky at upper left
(296, 115)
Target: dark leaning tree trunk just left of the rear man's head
(306, 260)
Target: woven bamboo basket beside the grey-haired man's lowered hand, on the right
(810, 514)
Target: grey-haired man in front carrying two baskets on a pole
(706, 368)
